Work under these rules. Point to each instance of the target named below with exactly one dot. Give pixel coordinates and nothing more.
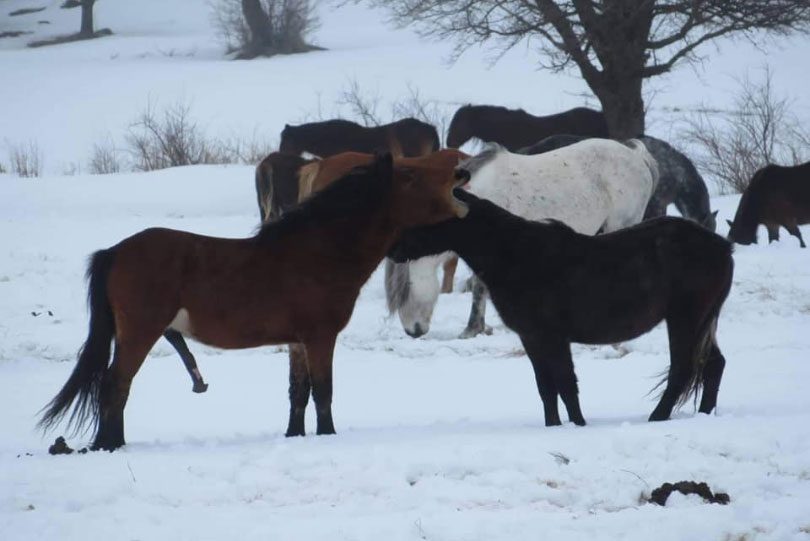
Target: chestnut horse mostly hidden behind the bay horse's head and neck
(315, 175)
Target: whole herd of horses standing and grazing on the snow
(563, 227)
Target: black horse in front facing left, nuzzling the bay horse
(553, 286)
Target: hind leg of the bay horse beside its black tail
(127, 360)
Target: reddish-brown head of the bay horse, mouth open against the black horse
(422, 194)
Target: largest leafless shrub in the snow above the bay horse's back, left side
(169, 138)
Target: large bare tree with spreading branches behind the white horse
(615, 44)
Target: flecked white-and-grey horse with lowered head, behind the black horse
(595, 186)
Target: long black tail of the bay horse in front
(83, 388)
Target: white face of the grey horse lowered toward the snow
(416, 312)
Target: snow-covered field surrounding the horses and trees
(438, 438)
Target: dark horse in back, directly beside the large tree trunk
(515, 128)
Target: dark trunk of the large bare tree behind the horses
(623, 107)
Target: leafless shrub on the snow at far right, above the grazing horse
(760, 129)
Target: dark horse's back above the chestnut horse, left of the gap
(407, 137)
